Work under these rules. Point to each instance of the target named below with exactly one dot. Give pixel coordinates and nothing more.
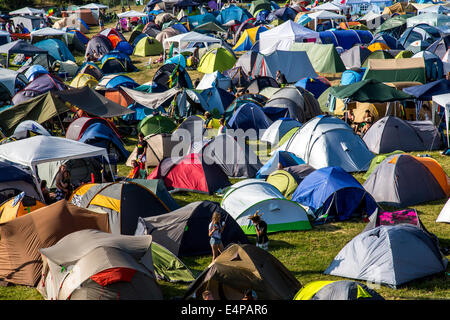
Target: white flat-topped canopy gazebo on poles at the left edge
(37, 150)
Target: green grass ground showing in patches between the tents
(307, 253)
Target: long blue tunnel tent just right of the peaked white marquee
(346, 38)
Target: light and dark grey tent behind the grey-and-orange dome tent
(391, 133)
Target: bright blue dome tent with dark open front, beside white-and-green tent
(332, 193)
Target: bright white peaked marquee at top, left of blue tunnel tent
(283, 36)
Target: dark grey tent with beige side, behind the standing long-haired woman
(184, 232)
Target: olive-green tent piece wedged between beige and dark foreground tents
(168, 266)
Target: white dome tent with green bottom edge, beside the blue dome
(246, 197)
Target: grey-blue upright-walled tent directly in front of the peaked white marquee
(295, 65)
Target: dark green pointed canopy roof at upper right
(369, 91)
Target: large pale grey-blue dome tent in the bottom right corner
(389, 255)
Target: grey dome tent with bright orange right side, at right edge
(403, 180)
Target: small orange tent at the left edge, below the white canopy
(18, 206)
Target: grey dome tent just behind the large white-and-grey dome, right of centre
(301, 105)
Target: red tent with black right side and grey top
(191, 173)
